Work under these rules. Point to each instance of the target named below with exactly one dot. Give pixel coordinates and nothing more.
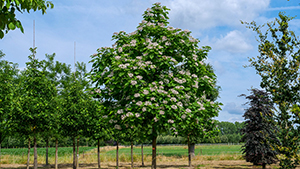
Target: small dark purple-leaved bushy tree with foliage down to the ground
(259, 131)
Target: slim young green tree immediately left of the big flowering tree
(75, 106)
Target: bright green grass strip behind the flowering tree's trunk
(182, 150)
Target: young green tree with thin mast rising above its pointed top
(36, 100)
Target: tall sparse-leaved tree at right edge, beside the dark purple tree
(278, 65)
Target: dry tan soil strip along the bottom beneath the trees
(226, 164)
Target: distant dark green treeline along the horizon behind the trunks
(229, 133)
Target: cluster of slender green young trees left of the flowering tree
(44, 100)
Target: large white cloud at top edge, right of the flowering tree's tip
(211, 13)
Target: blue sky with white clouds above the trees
(215, 23)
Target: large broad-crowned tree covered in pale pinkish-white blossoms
(157, 77)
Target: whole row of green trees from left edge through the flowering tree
(152, 81)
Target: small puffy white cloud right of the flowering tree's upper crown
(233, 42)
